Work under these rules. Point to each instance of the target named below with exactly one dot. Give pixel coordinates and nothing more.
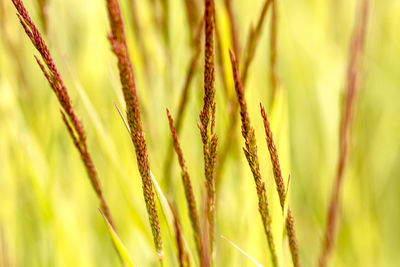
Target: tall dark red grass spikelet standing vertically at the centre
(207, 119)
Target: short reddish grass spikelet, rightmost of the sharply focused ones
(280, 186)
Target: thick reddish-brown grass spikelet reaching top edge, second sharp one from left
(120, 49)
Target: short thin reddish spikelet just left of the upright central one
(190, 198)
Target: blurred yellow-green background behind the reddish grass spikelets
(48, 210)
